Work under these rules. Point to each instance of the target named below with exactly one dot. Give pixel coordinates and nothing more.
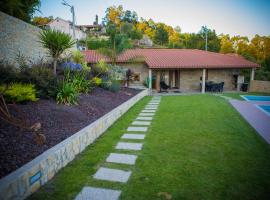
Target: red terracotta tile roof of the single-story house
(177, 58)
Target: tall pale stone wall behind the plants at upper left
(18, 37)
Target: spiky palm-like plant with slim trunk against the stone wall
(56, 42)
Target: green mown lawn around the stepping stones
(198, 147)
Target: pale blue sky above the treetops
(235, 17)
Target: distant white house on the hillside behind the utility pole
(66, 27)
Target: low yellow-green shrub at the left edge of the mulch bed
(18, 92)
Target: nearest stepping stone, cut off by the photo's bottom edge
(94, 193)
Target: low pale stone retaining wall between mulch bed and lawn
(27, 179)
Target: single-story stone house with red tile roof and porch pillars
(185, 69)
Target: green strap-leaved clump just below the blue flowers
(67, 94)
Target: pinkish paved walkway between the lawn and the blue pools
(259, 120)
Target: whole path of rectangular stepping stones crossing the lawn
(140, 124)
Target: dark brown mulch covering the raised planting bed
(18, 147)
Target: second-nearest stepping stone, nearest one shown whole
(115, 175)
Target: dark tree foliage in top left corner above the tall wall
(21, 9)
